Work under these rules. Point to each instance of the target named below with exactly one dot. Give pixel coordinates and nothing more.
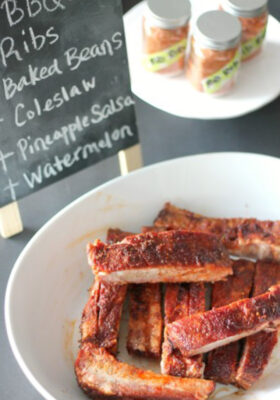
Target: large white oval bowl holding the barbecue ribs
(48, 286)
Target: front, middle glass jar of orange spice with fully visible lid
(215, 54)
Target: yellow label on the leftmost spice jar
(162, 59)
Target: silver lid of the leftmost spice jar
(169, 14)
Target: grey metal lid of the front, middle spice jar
(218, 30)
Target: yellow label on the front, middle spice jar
(214, 83)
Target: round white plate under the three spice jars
(258, 81)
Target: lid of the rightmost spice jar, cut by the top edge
(245, 8)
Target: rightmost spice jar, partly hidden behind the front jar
(253, 15)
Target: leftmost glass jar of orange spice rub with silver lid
(165, 31)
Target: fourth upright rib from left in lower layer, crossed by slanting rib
(221, 363)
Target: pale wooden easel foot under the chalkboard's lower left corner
(10, 220)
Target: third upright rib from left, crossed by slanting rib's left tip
(182, 300)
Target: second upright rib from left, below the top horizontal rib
(145, 320)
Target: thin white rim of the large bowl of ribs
(17, 265)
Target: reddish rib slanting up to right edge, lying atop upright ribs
(206, 331)
